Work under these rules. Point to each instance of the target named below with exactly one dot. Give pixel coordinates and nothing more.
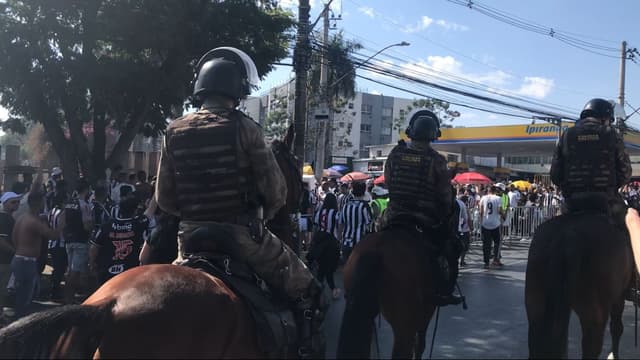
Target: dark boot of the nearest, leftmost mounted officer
(309, 314)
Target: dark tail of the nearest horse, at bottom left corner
(72, 331)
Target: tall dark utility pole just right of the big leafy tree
(302, 54)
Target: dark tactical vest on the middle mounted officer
(412, 184)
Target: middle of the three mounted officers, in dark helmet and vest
(420, 194)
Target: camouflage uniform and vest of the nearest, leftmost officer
(215, 183)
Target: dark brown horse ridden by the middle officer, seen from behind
(387, 273)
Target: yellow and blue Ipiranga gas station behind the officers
(500, 152)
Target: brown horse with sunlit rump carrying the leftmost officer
(153, 311)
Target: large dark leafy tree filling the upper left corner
(82, 67)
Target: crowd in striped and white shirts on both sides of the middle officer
(336, 216)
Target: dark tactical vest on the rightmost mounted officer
(589, 160)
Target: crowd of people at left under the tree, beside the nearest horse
(87, 234)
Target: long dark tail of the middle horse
(361, 308)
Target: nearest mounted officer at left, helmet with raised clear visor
(219, 177)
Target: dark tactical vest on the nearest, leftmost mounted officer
(211, 185)
